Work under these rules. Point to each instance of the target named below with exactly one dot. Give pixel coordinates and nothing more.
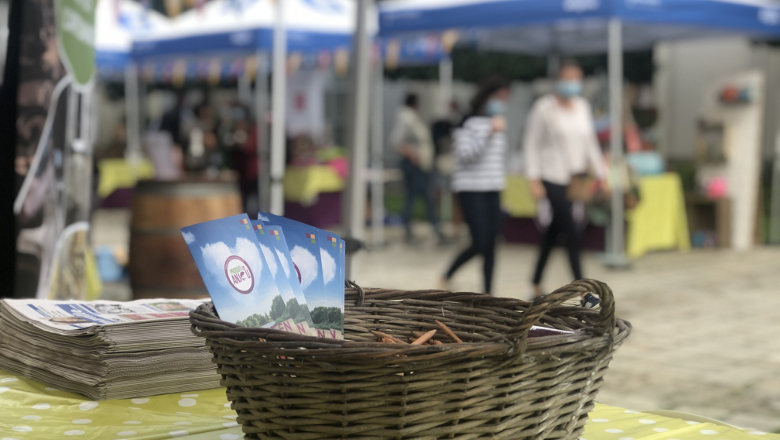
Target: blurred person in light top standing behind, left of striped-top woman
(412, 138)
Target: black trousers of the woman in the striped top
(482, 212)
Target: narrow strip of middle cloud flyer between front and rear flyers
(279, 262)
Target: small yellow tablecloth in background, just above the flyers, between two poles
(303, 184)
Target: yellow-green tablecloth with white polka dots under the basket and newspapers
(32, 411)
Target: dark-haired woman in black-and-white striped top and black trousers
(480, 150)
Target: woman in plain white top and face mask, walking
(560, 142)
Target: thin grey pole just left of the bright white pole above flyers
(261, 107)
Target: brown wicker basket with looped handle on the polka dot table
(497, 384)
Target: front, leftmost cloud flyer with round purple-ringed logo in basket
(235, 272)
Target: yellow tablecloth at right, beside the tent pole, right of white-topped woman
(659, 221)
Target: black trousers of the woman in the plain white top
(562, 225)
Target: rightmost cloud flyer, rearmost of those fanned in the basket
(317, 277)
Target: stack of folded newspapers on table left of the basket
(106, 349)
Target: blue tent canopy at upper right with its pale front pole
(579, 27)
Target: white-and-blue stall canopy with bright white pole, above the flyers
(298, 34)
